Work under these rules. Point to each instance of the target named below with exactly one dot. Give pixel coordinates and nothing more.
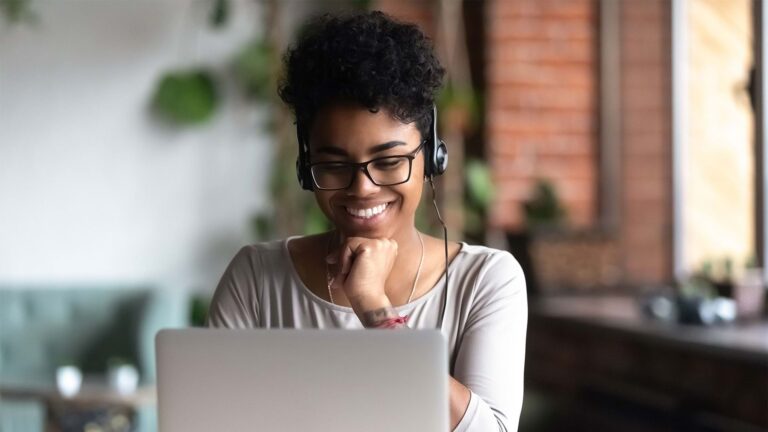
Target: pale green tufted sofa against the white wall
(44, 327)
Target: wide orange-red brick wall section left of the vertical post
(541, 104)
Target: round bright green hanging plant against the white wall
(185, 97)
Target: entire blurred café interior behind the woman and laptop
(615, 147)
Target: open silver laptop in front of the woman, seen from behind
(302, 380)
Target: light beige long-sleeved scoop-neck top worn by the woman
(485, 319)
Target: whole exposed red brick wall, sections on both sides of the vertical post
(541, 88)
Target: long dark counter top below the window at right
(623, 313)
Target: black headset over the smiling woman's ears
(435, 153)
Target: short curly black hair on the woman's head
(366, 58)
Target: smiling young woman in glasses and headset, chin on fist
(362, 88)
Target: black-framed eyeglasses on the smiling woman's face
(383, 171)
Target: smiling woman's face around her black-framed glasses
(350, 133)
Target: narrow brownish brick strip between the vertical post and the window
(646, 215)
